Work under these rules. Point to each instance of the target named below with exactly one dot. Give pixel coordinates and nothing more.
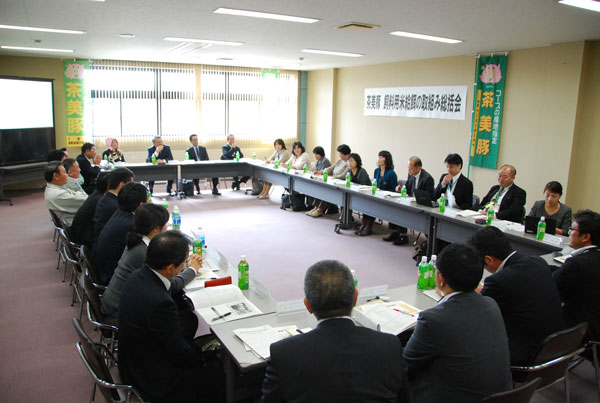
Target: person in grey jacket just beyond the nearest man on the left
(149, 221)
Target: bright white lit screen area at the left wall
(26, 103)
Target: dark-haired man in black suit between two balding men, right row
(458, 188)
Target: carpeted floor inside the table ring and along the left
(38, 360)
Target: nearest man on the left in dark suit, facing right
(154, 356)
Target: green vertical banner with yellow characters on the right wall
(490, 76)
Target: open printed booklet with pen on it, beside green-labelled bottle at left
(222, 304)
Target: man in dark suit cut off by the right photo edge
(578, 279)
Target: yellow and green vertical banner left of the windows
(75, 100)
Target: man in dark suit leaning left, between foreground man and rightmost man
(523, 288)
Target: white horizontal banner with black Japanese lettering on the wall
(417, 102)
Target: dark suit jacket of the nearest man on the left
(153, 354)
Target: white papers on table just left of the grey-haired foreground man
(259, 339)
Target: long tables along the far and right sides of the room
(429, 221)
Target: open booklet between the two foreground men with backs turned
(388, 317)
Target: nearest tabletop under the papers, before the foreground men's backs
(247, 362)
